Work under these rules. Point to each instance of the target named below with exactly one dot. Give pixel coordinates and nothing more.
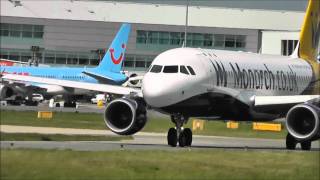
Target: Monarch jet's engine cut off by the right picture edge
(303, 123)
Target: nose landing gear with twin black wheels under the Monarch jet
(180, 135)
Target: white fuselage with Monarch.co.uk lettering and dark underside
(224, 83)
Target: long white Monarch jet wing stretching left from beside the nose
(72, 84)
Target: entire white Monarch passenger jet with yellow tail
(224, 85)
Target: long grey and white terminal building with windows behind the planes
(77, 32)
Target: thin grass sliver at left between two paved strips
(57, 137)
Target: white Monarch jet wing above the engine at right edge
(282, 100)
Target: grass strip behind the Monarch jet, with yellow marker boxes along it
(154, 124)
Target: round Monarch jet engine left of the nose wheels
(125, 116)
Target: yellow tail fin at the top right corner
(310, 31)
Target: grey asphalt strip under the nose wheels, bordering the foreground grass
(157, 142)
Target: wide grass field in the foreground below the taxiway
(182, 164)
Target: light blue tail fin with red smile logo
(113, 58)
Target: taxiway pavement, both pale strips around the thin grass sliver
(141, 141)
